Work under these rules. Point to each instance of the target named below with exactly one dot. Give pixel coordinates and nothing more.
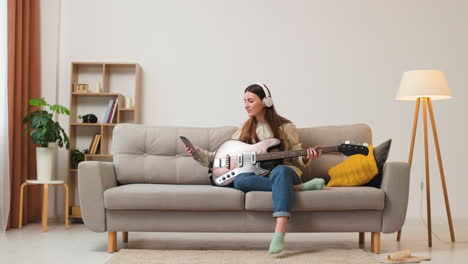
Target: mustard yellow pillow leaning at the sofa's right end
(356, 170)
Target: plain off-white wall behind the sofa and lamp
(326, 62)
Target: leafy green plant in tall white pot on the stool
(44, 130)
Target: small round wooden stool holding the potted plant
(45, 201)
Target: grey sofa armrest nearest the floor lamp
(395, 184)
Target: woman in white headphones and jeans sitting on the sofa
(284, 179)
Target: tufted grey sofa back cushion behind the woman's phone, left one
(148, 154)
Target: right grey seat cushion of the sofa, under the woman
(330, 198)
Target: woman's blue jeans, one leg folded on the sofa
(280, 181)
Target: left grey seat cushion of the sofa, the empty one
(173, 197)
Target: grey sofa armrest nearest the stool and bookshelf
(93, 179)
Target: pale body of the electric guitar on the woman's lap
(234, 157)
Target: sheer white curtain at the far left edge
(4, 159)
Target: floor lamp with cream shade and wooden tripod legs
(425, 86)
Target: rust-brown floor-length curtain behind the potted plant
(23, 84)
